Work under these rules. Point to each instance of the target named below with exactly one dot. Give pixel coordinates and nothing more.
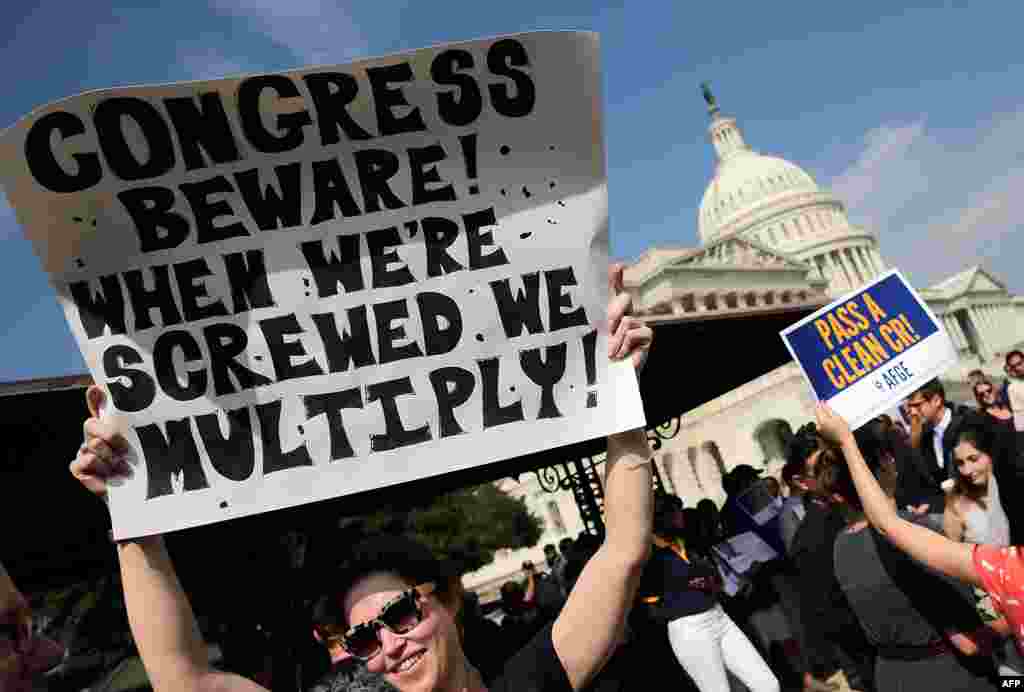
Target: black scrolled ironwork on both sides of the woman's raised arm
(582, 479)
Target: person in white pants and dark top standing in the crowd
(680, 588)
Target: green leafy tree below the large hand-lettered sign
(467, 526)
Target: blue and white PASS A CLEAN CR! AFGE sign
(871, 349)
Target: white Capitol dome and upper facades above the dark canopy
(773, 241)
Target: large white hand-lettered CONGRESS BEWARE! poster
(305, 285)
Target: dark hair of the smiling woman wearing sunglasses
(409, 559)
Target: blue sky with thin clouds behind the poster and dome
(913, 115)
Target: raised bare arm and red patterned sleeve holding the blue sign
(999, 571)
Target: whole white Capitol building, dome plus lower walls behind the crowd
(771, 239)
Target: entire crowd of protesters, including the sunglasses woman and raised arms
(887, 553)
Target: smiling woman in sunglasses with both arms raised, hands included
(395, 607)
